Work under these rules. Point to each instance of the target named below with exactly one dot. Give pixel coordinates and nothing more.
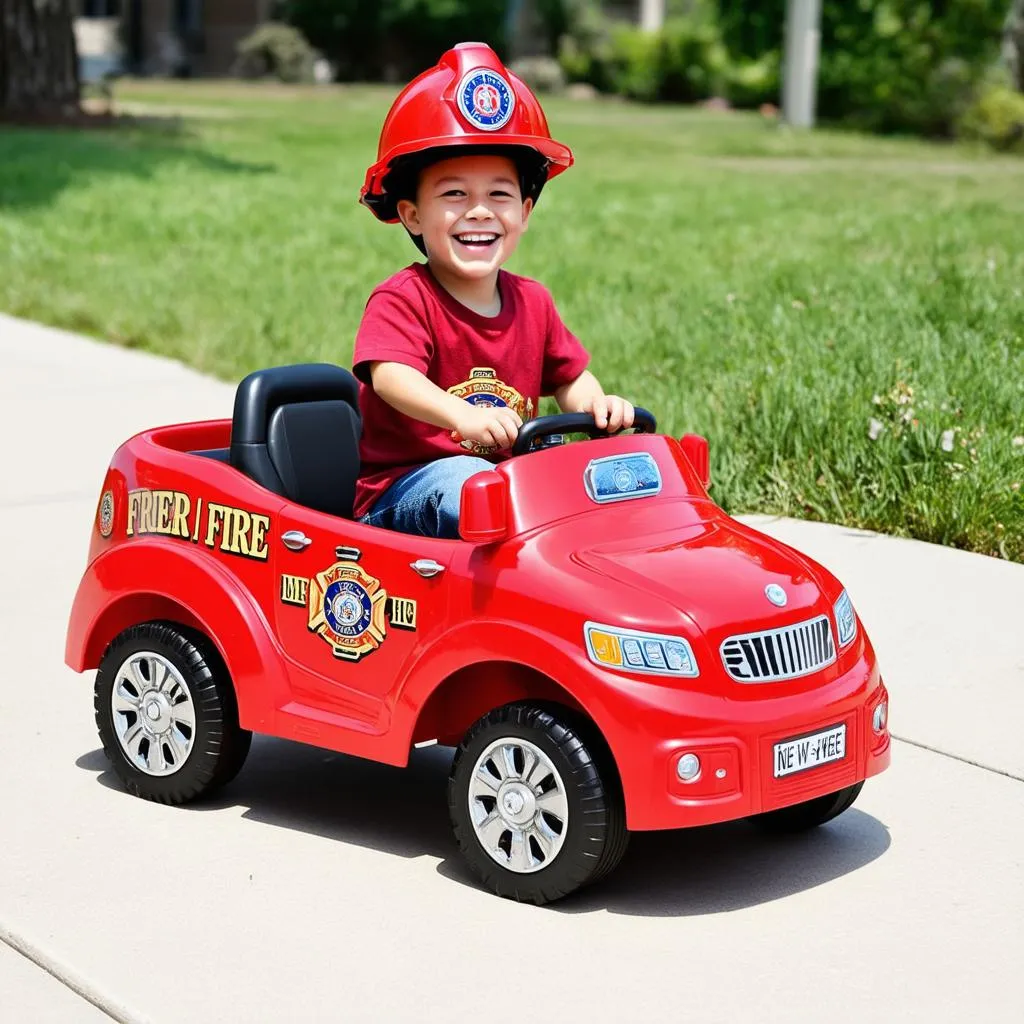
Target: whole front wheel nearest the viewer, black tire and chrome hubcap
(537, 812)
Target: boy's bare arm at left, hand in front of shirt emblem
(411, 393)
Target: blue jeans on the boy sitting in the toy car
(425, 501)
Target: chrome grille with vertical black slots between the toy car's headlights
(784, 654)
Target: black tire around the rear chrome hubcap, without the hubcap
(219, 746)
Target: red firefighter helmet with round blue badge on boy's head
(468, 100)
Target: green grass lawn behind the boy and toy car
(829, 310)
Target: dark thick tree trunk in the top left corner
(38, 60)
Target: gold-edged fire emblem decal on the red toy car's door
(348, 609)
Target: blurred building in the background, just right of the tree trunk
(164, 37)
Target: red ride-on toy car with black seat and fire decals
(608, 650)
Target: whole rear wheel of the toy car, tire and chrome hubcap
(167, 715)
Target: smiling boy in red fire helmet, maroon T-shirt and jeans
(453, 356)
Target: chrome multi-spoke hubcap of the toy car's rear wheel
(154, 715)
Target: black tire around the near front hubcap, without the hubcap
(595, 836)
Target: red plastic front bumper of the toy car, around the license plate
(735, 741)
